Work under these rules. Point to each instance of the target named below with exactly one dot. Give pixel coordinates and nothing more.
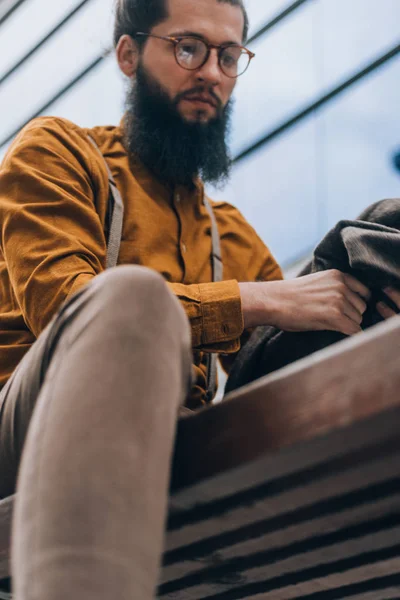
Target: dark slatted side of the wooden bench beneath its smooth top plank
(345, 522)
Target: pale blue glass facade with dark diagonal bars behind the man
(319, 162)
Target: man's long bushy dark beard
(175, 150)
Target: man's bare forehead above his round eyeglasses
(217, 21)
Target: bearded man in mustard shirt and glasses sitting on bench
(97, 362)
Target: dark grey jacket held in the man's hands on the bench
(368, 249)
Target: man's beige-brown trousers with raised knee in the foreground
(87, 424)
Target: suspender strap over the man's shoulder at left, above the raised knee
(116, 212)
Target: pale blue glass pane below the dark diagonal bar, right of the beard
(329, 168)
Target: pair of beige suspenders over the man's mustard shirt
(116, 212)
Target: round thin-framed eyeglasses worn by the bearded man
(192, 53)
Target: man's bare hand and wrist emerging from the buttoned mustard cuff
(329, 300)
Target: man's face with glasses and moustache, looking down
(217, 23)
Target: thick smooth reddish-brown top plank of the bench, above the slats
(352, 380)
